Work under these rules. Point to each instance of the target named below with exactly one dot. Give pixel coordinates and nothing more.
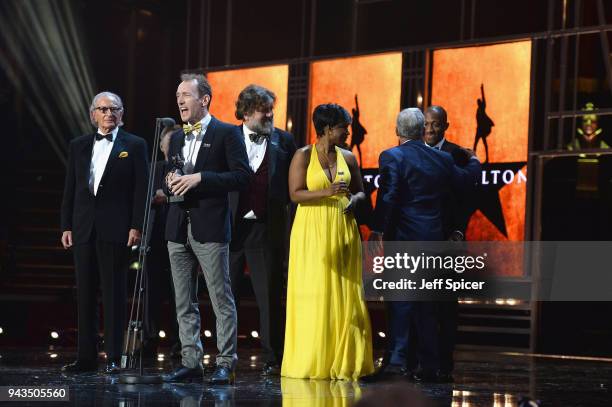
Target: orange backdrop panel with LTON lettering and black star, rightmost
(485, 90)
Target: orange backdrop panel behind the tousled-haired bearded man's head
(226, 86)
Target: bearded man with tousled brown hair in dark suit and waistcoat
(260, 215)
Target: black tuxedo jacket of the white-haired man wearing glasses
(119, 203)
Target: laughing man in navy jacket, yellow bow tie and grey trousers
(198, 229)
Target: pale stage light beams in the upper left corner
(42, 40)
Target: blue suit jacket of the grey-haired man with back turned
(414, 186)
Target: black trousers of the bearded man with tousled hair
(250, 245)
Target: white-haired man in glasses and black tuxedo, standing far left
(102, 215)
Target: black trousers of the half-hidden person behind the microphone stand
(159, 288)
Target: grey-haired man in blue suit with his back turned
(415, 184)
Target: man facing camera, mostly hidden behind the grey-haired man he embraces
(457, 213)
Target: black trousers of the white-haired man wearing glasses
(105, 264)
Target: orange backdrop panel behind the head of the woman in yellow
(375, 81)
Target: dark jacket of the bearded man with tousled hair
(279, 151)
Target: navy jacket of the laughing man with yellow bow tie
(224, 166)
